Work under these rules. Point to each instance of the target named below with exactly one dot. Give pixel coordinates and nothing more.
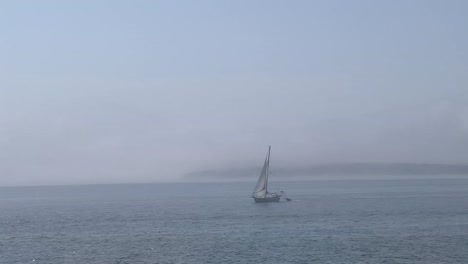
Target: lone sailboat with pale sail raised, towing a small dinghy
(260, 193)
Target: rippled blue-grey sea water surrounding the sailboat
(361, 221)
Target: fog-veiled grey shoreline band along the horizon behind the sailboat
(320, 172)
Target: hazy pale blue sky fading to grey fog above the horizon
(147, 91)
